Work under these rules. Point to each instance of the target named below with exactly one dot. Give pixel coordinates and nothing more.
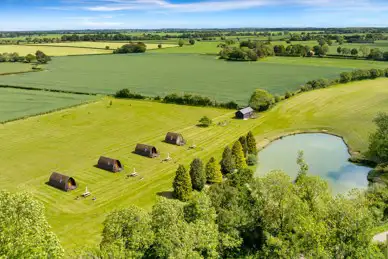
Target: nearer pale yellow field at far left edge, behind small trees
(24, 50)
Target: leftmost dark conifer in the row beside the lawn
(182, 184)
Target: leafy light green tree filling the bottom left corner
(25, 232)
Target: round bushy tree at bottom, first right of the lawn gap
(127, 233)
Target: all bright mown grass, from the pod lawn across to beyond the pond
(71, 144)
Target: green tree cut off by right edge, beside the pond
(378, 141)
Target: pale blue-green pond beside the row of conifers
(326, 155)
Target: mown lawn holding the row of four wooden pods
(72, 140)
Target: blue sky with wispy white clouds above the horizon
(155, 14)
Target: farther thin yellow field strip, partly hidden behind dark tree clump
(100, 45)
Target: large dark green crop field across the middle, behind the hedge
(160, 74)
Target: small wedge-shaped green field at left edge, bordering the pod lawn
(15, 103)
